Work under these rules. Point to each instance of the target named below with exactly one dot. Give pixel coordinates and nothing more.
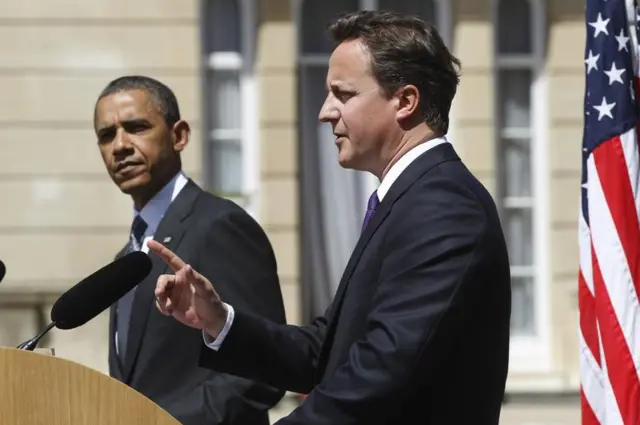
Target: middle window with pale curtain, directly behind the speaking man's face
(326, 190)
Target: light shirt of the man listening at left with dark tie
(153, 212)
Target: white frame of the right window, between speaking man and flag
(530, 353)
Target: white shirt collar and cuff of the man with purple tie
(388, 180)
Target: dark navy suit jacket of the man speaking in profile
(418, 331)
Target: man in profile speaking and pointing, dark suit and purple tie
(418, 331)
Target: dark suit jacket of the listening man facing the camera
(225, 244)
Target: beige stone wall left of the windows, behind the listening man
(61, 218)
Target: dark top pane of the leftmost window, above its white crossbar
(223, 26)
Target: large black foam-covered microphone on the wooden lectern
(95, 294)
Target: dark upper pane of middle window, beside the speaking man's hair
(316, 15)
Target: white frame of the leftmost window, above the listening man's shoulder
(244, 63)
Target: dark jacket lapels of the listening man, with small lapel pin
(169, 233)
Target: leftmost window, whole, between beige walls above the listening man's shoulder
(229, 119)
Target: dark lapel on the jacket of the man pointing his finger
(413, 172)
